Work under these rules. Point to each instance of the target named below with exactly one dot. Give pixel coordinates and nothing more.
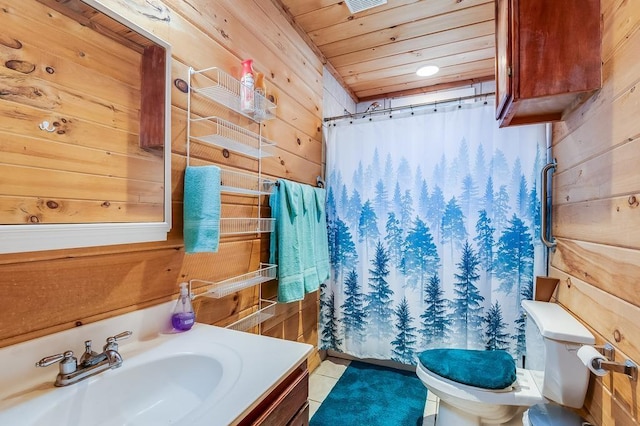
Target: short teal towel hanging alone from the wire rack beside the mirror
(201, 209)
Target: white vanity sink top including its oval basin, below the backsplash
(206, 376)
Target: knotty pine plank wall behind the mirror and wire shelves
(45, 292)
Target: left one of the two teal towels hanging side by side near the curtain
(288, 215)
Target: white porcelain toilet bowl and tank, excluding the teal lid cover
(554, 373)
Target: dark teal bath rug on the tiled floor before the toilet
(371, 395)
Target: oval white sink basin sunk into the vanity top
(164, 391)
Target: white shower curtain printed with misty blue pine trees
(433, 233)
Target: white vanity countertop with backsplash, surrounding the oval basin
(252, 366)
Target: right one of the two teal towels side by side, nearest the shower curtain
(306, 236)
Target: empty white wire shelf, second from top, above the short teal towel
(235, 138)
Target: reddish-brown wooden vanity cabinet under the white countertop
(287, 404)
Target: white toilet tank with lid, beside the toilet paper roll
(560, 335)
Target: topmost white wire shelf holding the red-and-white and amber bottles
(226, 91)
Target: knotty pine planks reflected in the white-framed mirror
(90, 165)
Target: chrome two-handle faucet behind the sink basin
(91, 362)
